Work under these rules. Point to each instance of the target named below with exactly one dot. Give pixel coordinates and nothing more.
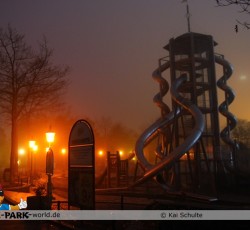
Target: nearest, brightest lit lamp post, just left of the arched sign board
(50, 137)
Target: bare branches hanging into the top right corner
(244, 7)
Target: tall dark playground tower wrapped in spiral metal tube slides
(189, 154)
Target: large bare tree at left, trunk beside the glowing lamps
(30, 83)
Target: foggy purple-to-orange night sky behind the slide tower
(113, 46)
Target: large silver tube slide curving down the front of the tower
(151, 171)
